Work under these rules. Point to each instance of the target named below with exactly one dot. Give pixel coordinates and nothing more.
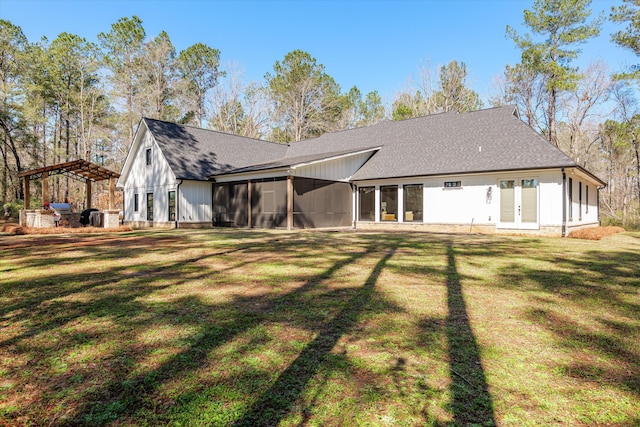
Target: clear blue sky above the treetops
(375, 45)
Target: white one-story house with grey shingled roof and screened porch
(481, 171)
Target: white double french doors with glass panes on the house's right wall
(519, 203)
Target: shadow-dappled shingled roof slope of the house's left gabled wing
(194, 153)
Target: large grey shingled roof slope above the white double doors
(452, 143)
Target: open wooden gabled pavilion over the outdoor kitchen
(81, 170)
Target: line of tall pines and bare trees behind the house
(69, 98)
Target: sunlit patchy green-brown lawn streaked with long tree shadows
(248, 328)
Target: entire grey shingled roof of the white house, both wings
(449, 143)
